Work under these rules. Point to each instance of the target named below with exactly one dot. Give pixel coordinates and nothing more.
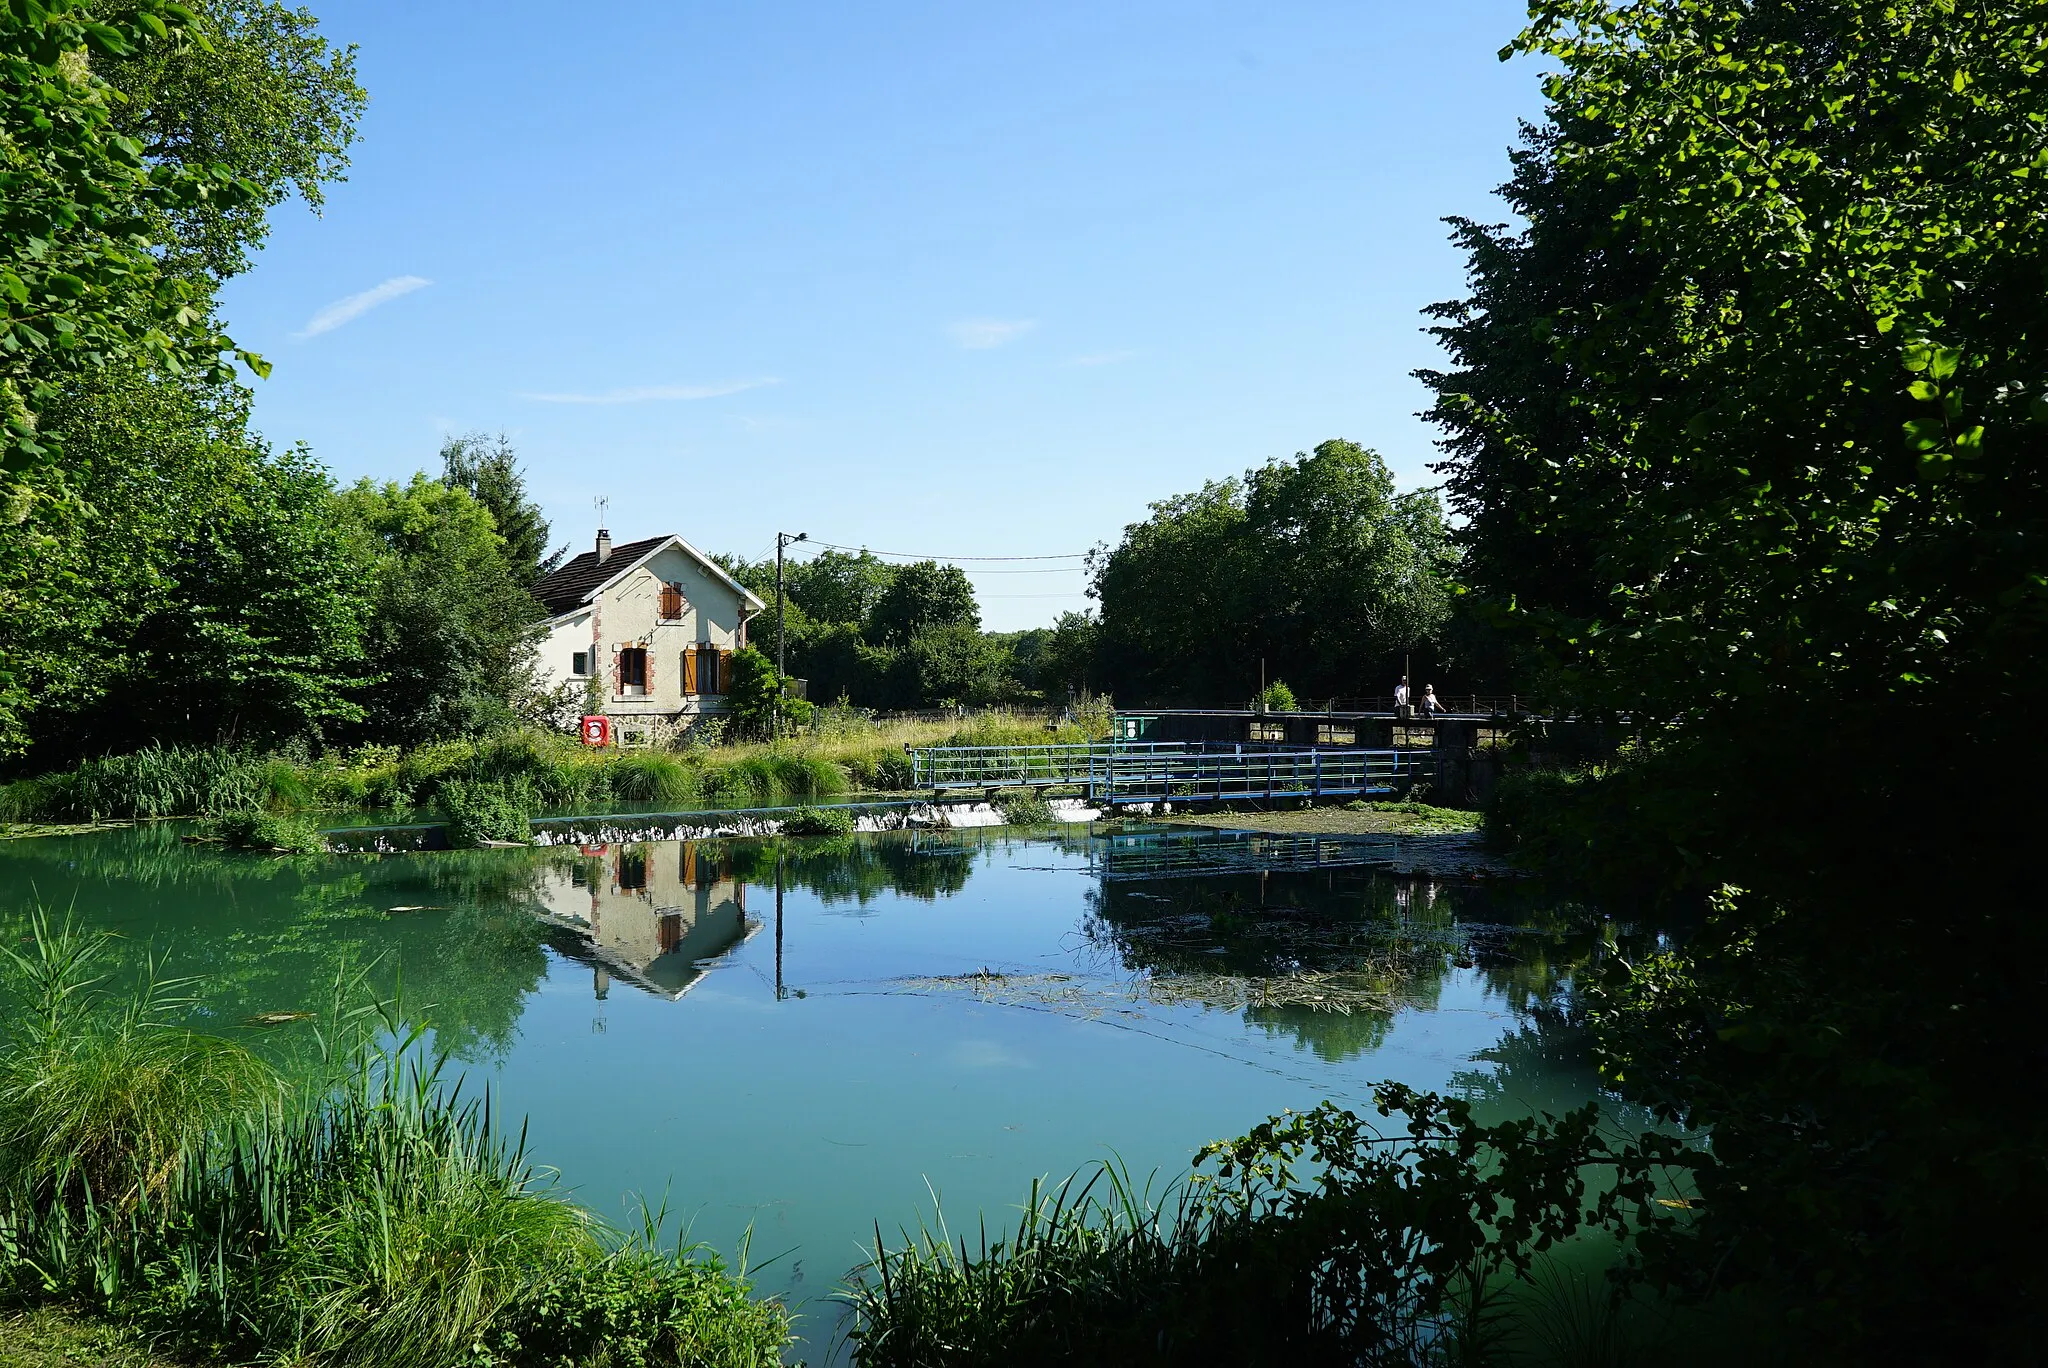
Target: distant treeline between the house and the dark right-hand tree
(1312, 570)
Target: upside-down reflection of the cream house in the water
(648, 912)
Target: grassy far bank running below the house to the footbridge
(490, 785)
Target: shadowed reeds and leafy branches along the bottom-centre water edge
(1310, 1240)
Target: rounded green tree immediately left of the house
(454, 630)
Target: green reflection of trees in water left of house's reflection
(271, 935)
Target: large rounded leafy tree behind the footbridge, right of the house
(1316, 566)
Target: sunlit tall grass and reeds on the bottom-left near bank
(187, 1191)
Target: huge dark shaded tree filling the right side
(1748, 427)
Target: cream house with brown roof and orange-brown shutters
(644, 634)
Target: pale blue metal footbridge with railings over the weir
(1164, 771)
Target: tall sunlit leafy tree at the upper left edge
(144, 144)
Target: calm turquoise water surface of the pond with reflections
(810, 1037)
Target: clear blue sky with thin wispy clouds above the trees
(964, 280)
